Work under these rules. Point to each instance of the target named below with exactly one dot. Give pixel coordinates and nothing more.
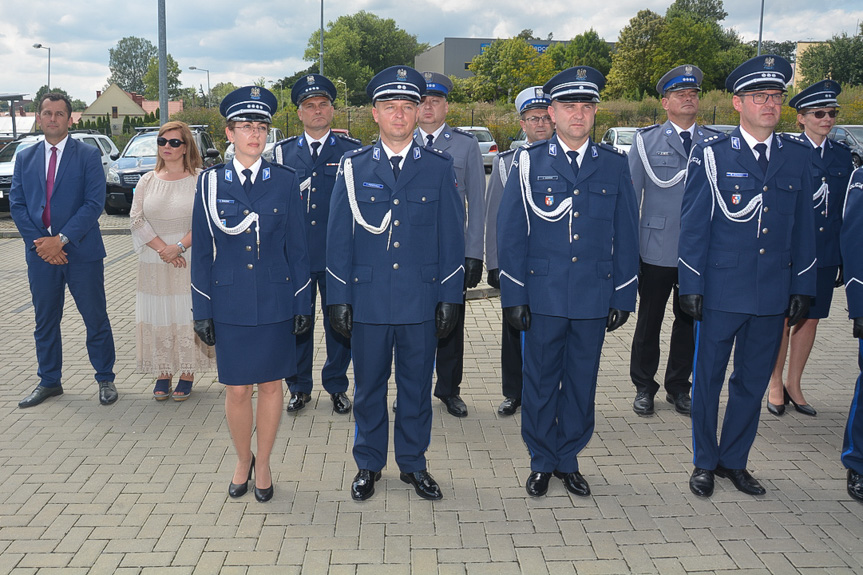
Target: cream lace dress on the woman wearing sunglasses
(166, 342)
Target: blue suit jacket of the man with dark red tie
(76, 203)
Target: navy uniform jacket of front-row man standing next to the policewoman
(414, 258)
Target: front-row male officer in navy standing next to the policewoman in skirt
(395, 265)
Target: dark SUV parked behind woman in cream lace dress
(139, 157)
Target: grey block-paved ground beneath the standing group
(140, 486)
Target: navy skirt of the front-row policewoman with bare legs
(255, 354)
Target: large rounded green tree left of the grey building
(356, 47)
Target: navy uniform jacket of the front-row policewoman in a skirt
(235, 280)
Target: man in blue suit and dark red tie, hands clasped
(57, 196)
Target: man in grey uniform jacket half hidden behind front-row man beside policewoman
(434, 132)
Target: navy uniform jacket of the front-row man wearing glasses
(747, 240)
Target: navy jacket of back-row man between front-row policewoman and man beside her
(317, 179)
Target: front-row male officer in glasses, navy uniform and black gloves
(746, 256)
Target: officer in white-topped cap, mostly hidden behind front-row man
(532, 105)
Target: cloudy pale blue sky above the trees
(241, 42)
